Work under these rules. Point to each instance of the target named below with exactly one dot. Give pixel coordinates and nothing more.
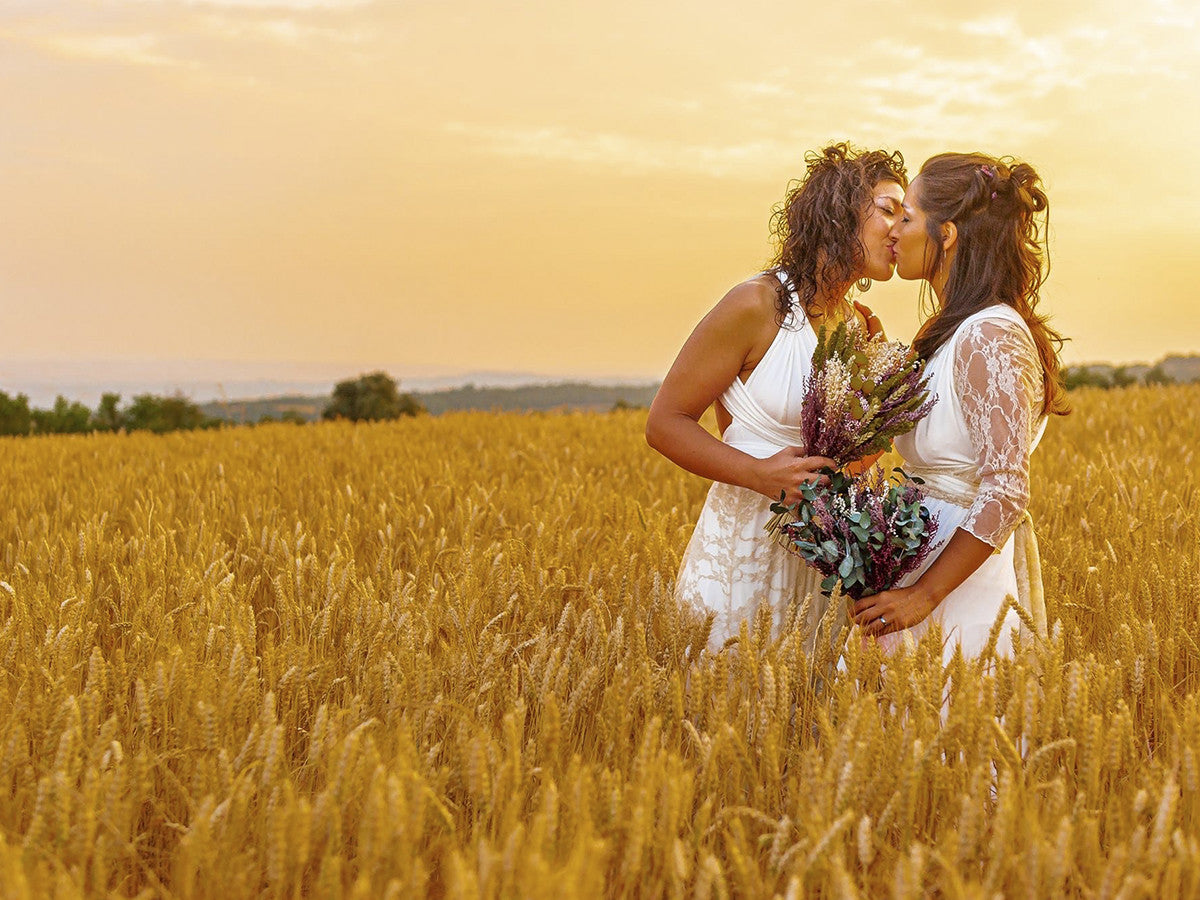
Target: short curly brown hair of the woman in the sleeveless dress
(817, 226)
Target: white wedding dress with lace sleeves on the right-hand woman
(974, 452)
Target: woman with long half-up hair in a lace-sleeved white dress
(970, 231)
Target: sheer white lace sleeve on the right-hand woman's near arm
(999, 380)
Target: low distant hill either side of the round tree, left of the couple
(530, 398)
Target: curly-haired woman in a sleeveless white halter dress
(751, 357)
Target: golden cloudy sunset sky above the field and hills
(559, 188)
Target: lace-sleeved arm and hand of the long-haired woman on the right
(999, 381)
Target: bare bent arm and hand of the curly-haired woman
(737, 331)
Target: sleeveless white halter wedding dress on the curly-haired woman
(731, 567)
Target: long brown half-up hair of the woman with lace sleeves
(1000, 255)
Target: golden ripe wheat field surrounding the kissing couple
(441, 658)
